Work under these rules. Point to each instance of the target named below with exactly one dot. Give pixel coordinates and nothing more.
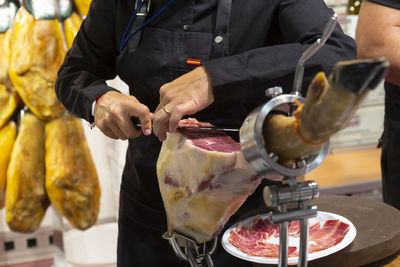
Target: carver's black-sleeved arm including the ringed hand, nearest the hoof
(243, 75)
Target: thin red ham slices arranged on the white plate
(260, 237)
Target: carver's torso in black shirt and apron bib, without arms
(185, 31)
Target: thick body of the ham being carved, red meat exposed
(203, 179)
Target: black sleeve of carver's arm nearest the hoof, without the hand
(301, 24)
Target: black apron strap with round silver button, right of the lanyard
(221, 38)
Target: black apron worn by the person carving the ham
(159, 58)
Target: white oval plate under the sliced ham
(292, 241)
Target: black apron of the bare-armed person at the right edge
(391, 147)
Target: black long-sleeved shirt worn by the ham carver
(292, 24)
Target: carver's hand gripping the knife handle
(113, 114)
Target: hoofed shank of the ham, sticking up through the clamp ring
(328, 107)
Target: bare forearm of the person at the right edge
(378, 35)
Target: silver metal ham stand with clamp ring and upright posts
(290, 200)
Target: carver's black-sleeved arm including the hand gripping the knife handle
(88, 64)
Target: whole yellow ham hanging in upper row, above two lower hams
(37, 52)
